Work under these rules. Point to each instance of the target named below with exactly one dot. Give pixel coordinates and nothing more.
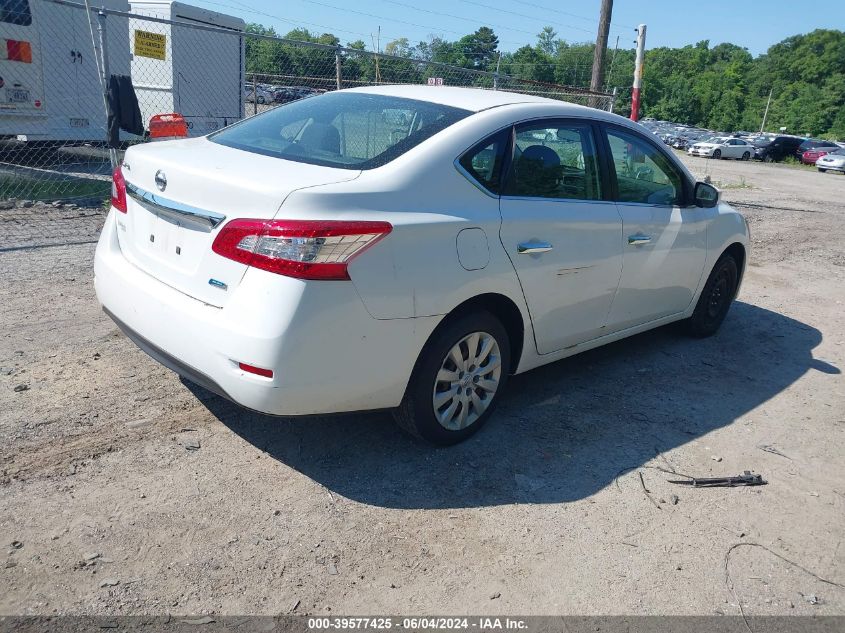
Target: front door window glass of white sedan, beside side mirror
(643, 174)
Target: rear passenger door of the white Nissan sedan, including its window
(561, 231)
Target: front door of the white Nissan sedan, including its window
(664, 238)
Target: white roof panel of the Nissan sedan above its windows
(473, 99)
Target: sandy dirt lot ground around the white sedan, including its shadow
(131, 492)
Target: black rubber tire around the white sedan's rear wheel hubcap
(416, 413)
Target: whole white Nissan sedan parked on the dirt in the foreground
(323, 257)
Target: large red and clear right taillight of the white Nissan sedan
(305, 249)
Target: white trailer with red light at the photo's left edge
(49, 82)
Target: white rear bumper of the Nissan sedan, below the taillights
(327, 353)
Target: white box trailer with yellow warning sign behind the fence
(195, 72)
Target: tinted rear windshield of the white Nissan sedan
(345, 130)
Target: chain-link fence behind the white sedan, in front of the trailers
(58, 82)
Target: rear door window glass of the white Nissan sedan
(554, 160)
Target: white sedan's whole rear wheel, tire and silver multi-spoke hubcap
(457, 381)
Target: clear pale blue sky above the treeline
(754, 24)
